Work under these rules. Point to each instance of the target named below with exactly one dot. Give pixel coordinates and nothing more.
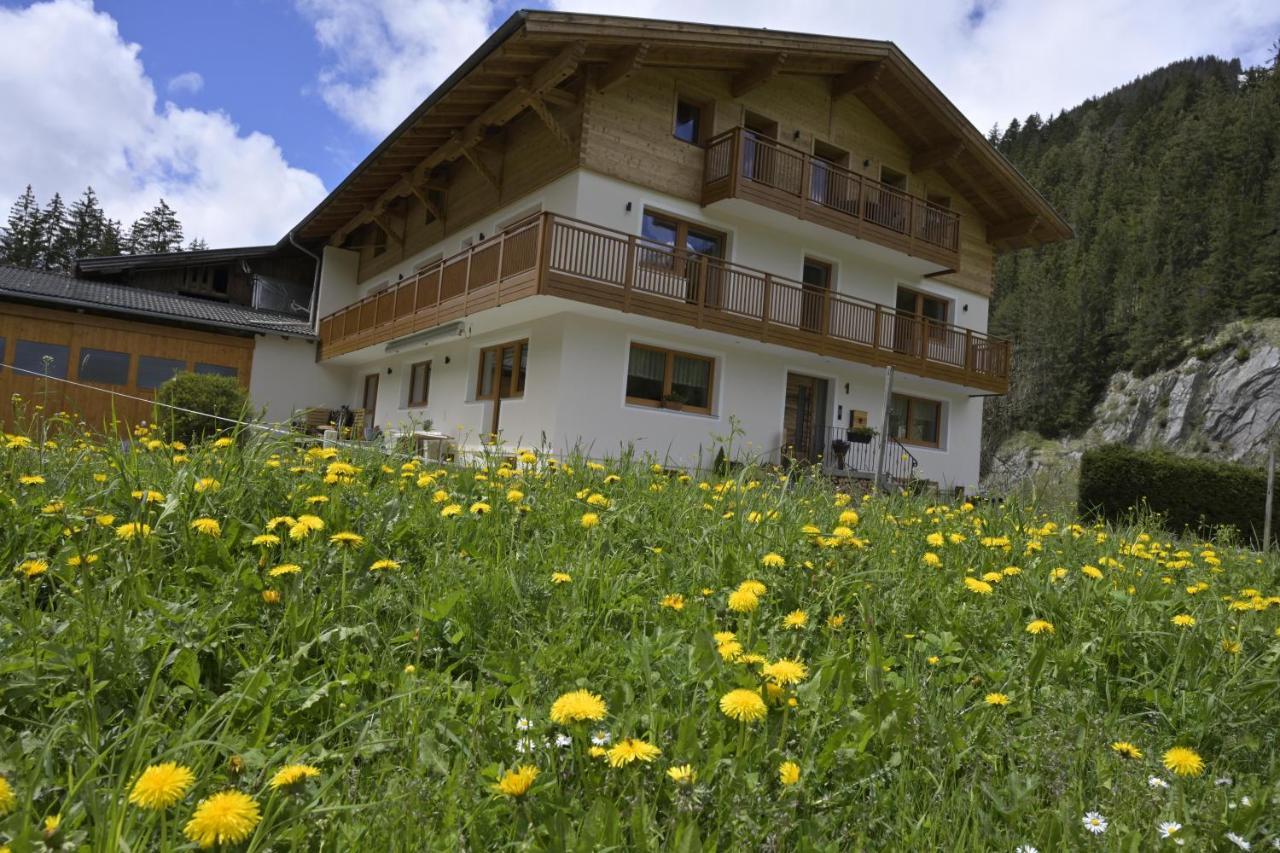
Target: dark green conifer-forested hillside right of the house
(1173, 186)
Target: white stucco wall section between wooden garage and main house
(285, 377)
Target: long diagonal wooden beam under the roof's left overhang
(551, 75)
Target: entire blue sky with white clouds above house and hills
(245, 113)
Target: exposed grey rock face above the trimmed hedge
(1223, 402)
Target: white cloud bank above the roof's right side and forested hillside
(998, 60)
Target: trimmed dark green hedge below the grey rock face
(1190, 494)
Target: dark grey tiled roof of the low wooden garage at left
(65, 291)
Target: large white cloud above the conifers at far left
(97, 121)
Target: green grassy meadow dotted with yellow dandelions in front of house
(255, 646)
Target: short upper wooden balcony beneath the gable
(742, 165)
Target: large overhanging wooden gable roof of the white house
(523, 65)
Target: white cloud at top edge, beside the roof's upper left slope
(388, 56)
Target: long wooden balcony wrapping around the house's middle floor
(554, 256)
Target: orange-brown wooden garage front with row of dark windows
(111, 355)
